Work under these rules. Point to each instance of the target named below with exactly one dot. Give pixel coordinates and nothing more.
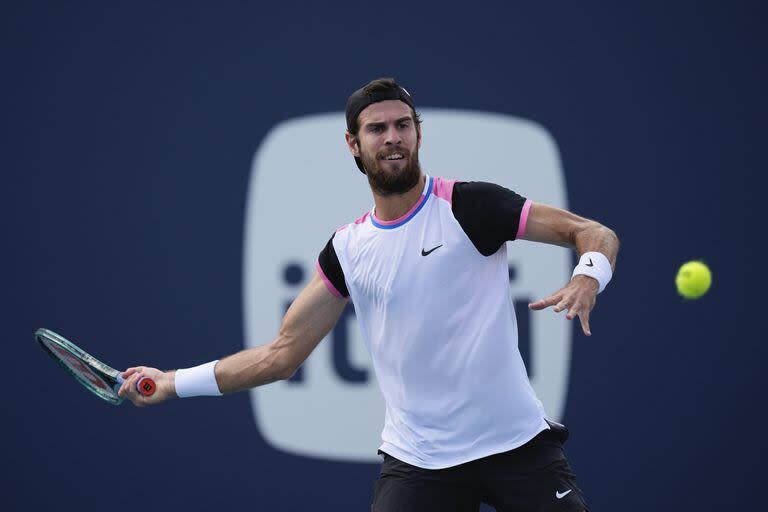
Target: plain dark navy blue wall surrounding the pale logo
(127, 138)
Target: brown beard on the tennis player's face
(399, 178)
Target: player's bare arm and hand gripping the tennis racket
(309, 319)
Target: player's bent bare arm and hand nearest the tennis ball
(559, 227)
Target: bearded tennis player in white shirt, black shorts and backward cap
(427, 271)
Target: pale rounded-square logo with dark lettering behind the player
(304, 184)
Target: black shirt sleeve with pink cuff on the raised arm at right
(489, 214)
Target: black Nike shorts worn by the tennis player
(533, 477)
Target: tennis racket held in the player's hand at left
(97, 377)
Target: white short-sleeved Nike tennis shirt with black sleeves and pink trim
(438, 320)
